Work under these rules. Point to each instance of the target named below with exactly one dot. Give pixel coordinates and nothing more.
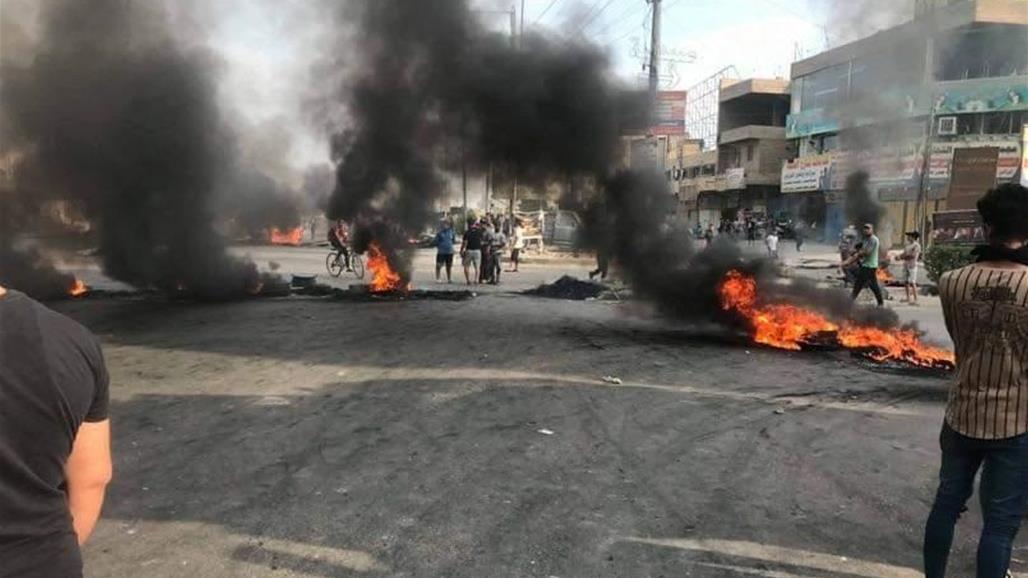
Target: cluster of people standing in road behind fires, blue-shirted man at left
(483, 247)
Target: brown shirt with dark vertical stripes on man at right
(986, 313)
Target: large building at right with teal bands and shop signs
(951, 83)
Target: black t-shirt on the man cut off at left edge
(52, 380)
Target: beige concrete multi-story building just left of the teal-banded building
(743, 174)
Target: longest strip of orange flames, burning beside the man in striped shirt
(791, 328)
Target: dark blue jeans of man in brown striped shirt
(1004, 494)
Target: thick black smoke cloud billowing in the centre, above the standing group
(434, 90)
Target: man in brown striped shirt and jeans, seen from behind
(986, 310)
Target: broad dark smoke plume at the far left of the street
(116, 115)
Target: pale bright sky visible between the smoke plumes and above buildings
(267, 60)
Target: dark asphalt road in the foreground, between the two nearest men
(314, 438)
